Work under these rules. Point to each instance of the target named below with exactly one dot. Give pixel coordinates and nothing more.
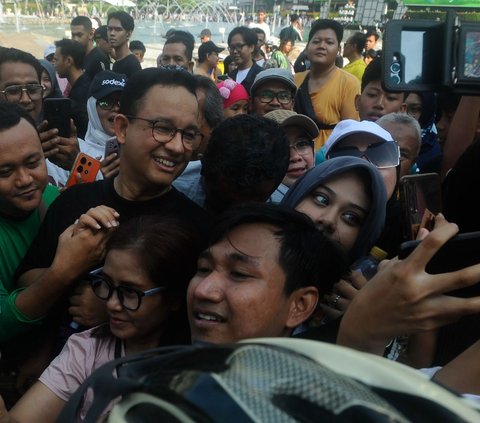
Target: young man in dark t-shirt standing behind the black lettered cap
(120, 27)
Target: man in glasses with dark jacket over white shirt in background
(242, 42)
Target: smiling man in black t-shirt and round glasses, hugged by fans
(157, 129)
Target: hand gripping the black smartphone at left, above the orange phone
(59, 150)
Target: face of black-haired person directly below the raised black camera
(374, 102)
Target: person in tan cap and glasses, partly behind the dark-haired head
(301, 131)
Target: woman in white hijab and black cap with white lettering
(103, 105)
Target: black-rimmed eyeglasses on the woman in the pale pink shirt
(129, 297)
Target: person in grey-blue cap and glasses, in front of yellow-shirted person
(273, 89)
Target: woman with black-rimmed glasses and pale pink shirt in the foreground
(143, 282)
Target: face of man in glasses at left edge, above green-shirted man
(17, 73)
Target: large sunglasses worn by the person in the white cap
(382, 154)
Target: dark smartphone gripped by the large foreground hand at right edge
(461, 251)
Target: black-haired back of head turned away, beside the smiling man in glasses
(246, 158)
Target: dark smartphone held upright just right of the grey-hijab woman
(420, 201)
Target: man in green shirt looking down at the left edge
(24, 197)
